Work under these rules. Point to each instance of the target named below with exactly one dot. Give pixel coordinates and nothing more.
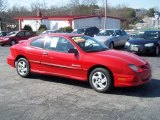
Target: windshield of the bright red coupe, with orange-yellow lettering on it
(88, 44)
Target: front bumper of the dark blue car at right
(141, 49)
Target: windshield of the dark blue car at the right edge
(152, 35)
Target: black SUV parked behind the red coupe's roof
(91, 31)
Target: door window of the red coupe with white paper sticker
(58, 44)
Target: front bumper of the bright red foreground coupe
(132, 80)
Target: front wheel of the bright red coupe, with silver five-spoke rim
(101, 80)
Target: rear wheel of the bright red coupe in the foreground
(23, 67)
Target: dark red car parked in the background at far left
(15, 36)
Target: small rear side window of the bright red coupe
(39, 42)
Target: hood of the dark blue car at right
(141, 41)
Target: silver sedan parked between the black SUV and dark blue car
(112, 37)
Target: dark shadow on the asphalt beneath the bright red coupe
(149, 90)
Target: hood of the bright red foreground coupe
(121, 56)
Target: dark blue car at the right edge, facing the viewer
(147, 42)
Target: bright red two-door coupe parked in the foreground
(79, 57)
